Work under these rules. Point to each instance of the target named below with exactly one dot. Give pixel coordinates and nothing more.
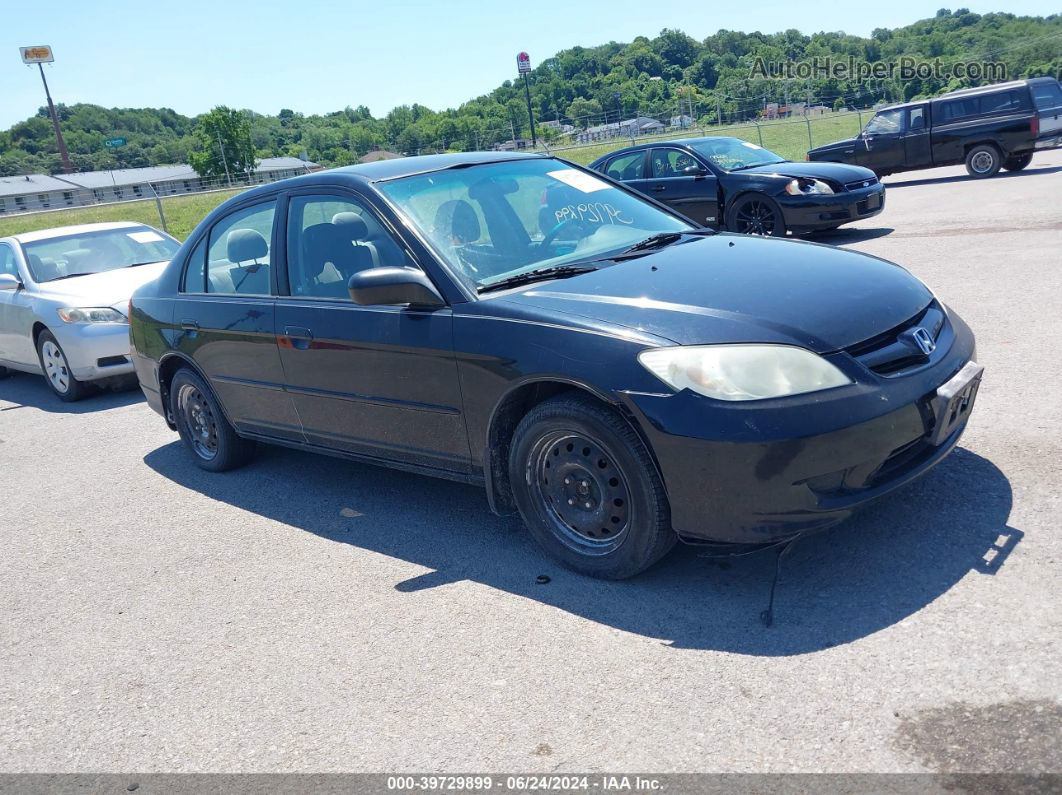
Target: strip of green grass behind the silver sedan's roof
(182, 215)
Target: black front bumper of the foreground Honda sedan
(767, 471)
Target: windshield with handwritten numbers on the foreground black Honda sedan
(495, 221)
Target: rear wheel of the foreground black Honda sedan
(213, 442)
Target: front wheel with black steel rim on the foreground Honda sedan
(588, 489)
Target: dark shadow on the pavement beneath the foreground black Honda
(867, 575)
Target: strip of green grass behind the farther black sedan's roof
(787, 139)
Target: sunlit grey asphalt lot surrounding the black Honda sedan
(306, 614)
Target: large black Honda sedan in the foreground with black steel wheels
(619, 376)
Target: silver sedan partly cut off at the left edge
(64, 295)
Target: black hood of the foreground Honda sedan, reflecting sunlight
(734, 288)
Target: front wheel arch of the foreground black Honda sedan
(507, 416)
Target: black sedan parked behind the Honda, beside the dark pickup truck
(727, 183)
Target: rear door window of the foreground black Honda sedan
(238, 254)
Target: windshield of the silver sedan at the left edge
(96, 252)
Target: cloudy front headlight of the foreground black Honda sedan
(743, 372)
